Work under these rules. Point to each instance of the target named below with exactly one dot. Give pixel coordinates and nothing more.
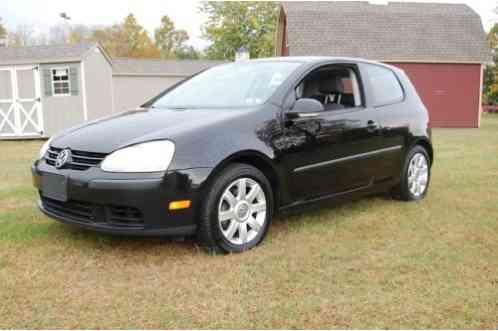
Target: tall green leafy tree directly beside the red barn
(231, 25)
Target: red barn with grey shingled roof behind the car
(442, 47)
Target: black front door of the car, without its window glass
(332, 151)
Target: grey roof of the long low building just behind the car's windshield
(153, 67)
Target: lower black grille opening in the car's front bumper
(119, 216)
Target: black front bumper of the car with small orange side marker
(124, 204)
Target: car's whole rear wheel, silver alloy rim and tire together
(415, 175)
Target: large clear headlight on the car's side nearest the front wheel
(146, 157)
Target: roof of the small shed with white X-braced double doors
(45, 53)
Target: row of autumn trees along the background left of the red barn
(228, 26)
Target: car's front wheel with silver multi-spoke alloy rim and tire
(237, 211)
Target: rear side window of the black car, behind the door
(385, 87)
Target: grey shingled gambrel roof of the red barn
(397, 32)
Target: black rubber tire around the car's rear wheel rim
(402, 191)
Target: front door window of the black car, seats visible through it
(336, 87)
